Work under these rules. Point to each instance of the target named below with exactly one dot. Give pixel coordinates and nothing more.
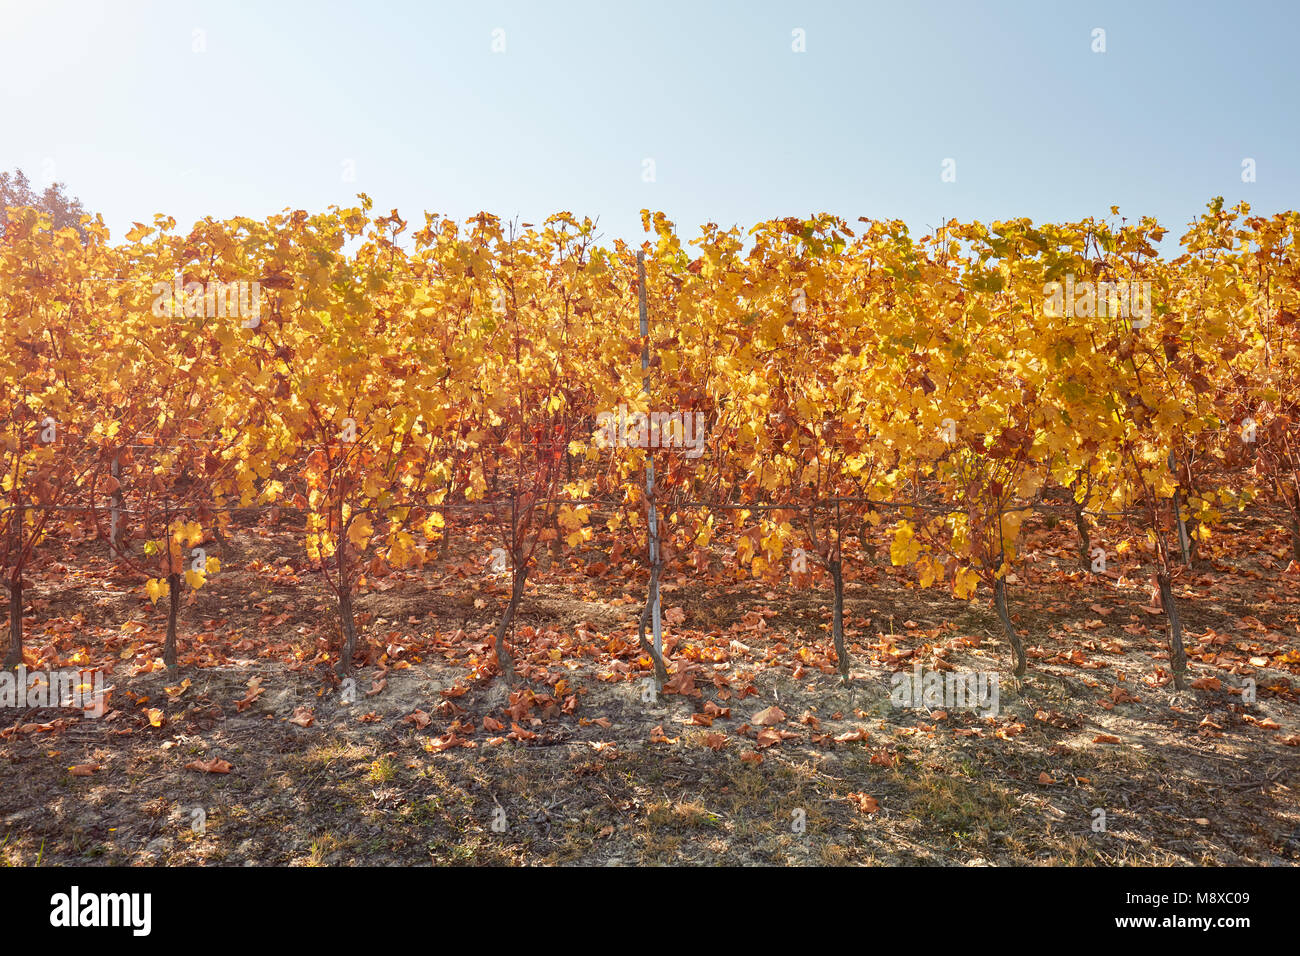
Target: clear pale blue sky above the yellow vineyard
(114, 101)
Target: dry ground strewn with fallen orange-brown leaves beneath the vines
(436, 762)
